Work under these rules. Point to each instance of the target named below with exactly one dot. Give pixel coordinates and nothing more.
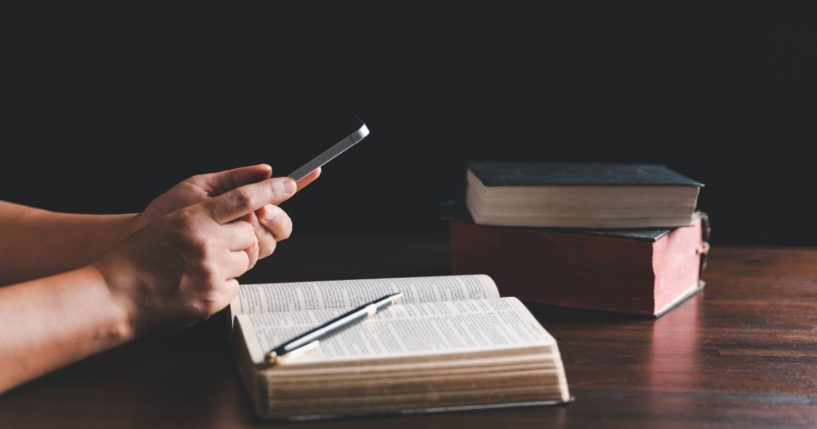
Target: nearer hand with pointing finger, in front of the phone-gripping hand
(182, 267)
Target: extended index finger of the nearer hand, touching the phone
(249, 198)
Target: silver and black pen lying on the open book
(311, 339)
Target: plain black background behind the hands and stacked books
(104, 109)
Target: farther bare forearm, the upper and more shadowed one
(37, 243)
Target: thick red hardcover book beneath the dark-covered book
(646, 272)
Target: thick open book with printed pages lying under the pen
(449, 343)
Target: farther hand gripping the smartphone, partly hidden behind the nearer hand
(269, 222)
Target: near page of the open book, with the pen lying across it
(423, 329)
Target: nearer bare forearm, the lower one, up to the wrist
(51, 322)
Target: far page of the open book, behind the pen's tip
(348, 294)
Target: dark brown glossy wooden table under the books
(742, 354)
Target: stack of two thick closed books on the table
(614, 237)
